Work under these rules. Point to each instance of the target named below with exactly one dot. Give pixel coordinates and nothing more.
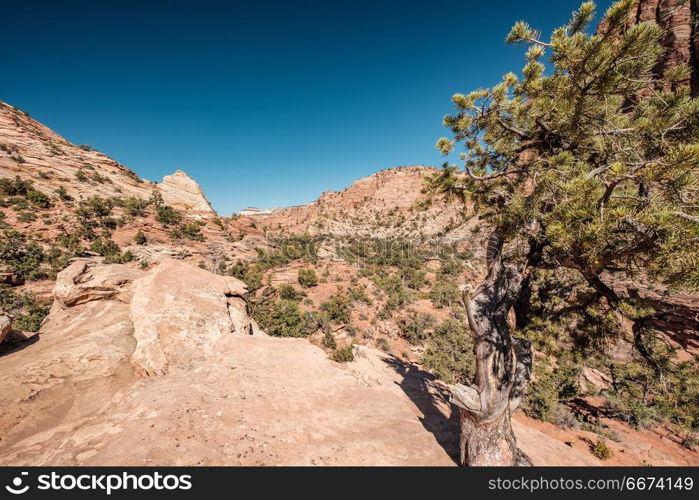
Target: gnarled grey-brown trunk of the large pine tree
(503, 362)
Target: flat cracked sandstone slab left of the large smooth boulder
(86, 280)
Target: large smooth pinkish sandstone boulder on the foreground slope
(179, 312)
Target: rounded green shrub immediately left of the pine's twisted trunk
(449, 354)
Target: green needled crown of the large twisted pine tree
(610, 187)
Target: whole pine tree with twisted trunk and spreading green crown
(589, 164)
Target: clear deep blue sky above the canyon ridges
(263, 103)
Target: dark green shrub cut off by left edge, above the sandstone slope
(22, 257)
